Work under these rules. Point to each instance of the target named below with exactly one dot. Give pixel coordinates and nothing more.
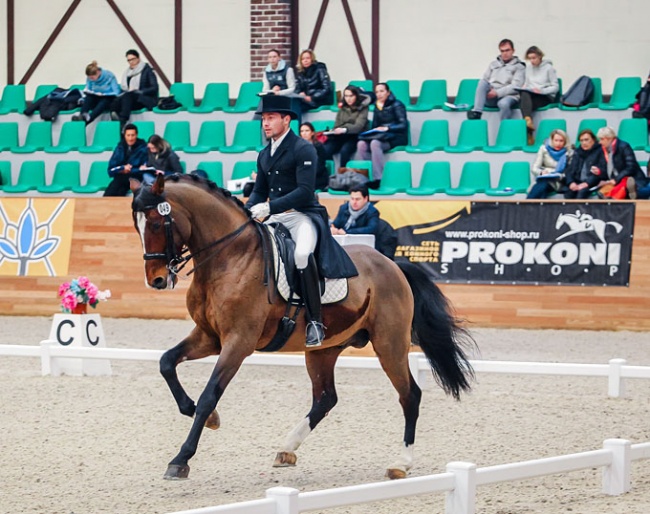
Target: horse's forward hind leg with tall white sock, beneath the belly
(320, 366)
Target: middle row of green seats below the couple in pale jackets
(473, 135)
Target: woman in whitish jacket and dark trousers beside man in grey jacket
(540, 87)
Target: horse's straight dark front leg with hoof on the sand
(225, 369)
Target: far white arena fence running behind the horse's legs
(616, 370)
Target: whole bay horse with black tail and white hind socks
(183, 217)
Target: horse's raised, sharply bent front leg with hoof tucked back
(196, 346)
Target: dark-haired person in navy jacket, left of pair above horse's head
(129, 154)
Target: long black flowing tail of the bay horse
(439, 333)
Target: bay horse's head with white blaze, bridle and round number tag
(160, 233)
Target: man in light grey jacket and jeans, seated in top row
(498, 87)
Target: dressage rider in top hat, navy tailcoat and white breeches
(285, 189)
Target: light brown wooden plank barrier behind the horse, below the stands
(106, 248)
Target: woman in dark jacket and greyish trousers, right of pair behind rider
(390, 129)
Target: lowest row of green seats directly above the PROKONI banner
(475, 178)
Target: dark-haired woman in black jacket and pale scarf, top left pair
(139, 88)
